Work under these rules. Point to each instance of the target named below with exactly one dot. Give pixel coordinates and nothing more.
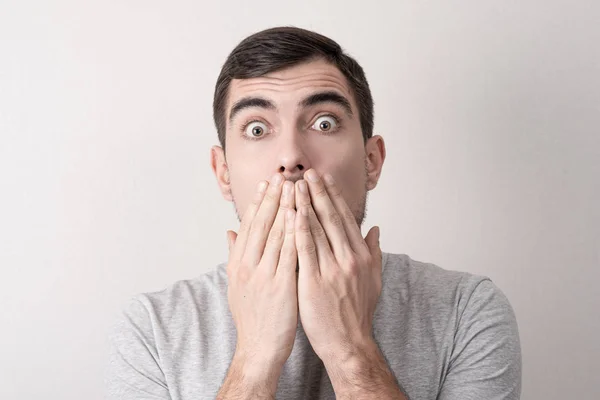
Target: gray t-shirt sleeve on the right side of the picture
(486, 358)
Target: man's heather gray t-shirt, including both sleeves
(445, 335)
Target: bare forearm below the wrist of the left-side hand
(249, 380)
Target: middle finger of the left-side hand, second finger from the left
(263, 222)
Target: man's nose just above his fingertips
(292, 160)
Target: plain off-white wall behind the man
(490, 111)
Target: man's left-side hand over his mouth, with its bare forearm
(262, 290)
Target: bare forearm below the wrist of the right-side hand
(364, 374)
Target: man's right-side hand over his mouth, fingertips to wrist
(339, 281)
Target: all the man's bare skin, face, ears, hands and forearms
(308, 214)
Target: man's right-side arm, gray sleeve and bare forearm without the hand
(485, 364)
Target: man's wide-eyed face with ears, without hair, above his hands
(290, 121)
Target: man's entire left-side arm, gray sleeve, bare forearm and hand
(262, 299)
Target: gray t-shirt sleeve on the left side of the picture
(133, 370)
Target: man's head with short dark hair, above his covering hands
(288, 100)
